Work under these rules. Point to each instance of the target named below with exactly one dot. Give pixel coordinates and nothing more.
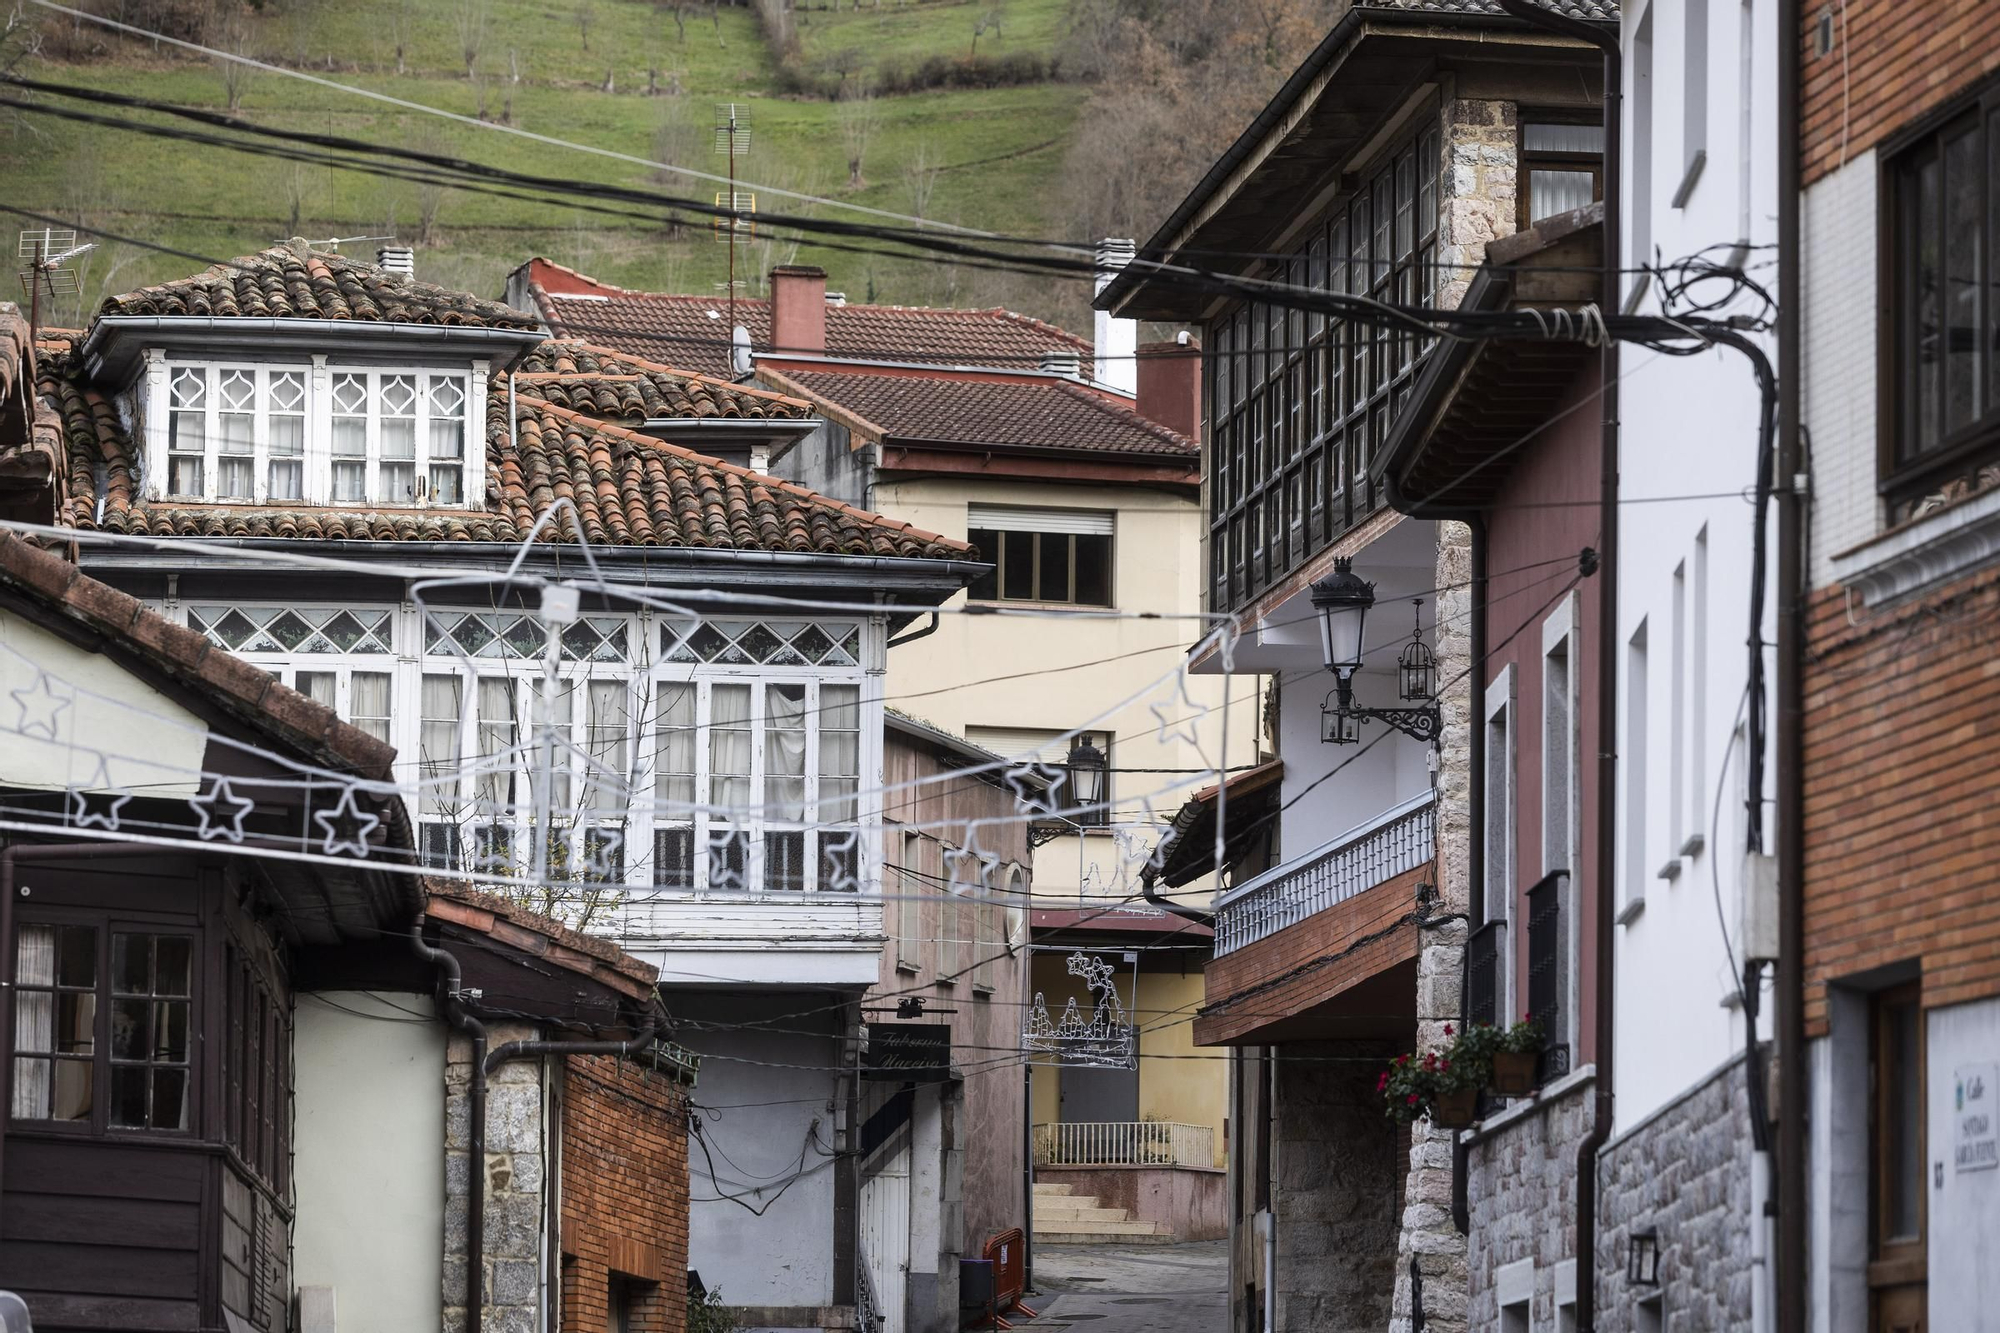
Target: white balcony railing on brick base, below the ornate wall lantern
(1363, 858)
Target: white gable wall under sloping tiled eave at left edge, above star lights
(65, 708)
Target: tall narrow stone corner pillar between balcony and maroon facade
(1429, 1232)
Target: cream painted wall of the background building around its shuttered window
(1157, 569)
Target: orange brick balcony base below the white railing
(1305, 966)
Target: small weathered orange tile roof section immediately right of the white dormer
(629, 389)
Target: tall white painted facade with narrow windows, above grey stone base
(1689, 427)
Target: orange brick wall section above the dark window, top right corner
(1891, 63)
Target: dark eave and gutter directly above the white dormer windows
(115, 341)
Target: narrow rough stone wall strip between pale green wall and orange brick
(513, 1182)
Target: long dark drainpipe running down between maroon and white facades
(1609, 303)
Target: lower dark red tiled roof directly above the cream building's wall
(995, 413)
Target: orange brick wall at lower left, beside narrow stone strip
(625, 1196)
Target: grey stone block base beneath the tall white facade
(1685, 1174)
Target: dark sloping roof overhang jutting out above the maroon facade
(1481, 399)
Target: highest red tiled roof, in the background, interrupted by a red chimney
(695, 331)
